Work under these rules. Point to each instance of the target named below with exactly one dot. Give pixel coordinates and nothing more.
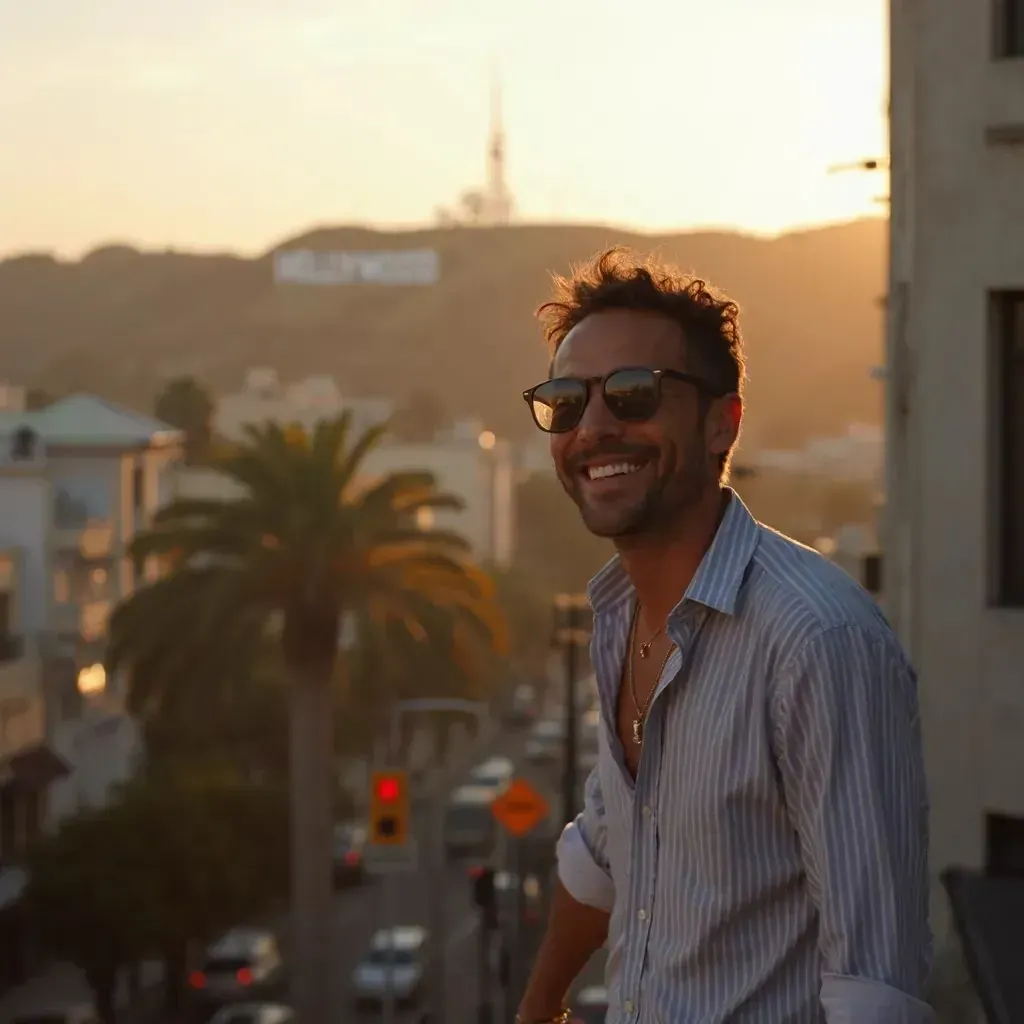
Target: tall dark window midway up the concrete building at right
(1008, 388)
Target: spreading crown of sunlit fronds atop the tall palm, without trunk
(301, 542)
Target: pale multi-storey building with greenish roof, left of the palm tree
(77, 481)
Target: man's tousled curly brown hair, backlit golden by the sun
(619, 279)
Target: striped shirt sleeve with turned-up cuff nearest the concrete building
(848, 736)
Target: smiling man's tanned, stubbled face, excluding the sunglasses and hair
(632, 480)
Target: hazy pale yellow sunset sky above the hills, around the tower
(234, 123)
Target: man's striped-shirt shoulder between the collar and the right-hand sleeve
(794, 591)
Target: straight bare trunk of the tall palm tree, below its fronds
(312, 759)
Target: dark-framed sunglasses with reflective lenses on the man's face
(632, 395)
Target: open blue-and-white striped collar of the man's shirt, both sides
(718, 579)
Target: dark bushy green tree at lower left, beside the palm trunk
(165, 865)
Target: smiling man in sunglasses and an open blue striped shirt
(753, 844)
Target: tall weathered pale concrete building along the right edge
(954, 533)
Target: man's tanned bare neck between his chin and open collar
(663, 567)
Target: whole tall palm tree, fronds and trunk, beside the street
(308, 543)
